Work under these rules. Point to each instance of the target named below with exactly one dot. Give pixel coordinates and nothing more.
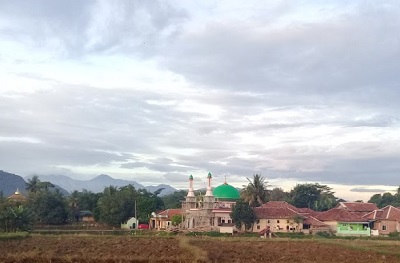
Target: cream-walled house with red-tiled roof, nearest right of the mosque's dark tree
(278, 216)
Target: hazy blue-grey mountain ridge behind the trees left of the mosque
(98, 183)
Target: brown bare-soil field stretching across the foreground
(112, 249)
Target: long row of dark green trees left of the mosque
(46, 205)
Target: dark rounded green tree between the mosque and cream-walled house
(243, 214)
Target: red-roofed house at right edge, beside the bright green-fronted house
(385, 220)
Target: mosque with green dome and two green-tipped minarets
(210, 211)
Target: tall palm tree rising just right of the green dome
(255, 193)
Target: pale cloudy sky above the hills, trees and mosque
(153, 91)
